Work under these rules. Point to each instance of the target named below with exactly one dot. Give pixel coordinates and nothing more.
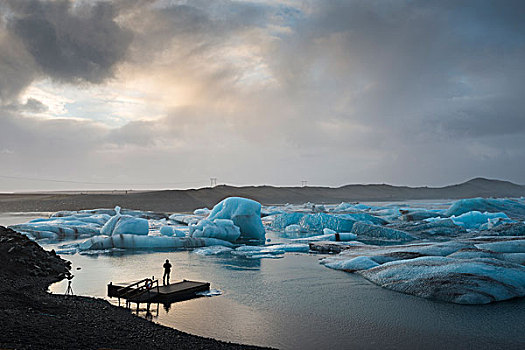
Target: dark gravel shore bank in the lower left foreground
(31, 318)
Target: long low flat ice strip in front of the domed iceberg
(125, 241)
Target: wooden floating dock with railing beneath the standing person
(149, 291)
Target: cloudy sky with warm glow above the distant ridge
(145, 94)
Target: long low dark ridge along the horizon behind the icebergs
(188, 200)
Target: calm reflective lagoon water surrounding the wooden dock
(295, 302)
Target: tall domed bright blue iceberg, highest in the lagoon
(245, 214)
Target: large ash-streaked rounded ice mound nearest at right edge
(474, 281)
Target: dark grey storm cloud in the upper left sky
(70, 44)
